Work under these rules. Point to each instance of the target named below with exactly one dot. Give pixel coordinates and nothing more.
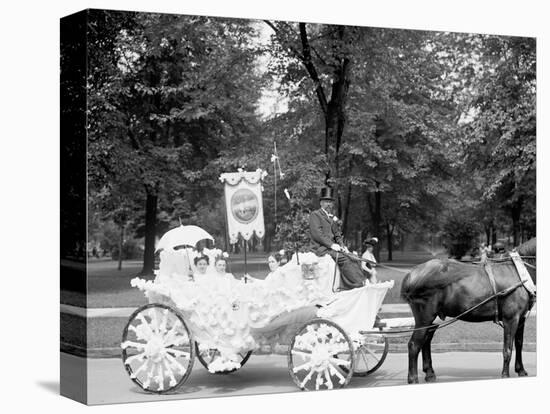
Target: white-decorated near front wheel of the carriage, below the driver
(321, 356)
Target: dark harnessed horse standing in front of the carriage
(447, 288)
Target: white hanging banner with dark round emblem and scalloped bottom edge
(243, 203)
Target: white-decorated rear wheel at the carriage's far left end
(157, 348)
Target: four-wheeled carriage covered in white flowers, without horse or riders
(222, 321)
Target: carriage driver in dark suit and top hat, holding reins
(326, 238)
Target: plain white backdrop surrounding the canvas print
(39, 376)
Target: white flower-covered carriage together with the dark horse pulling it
(328, 336)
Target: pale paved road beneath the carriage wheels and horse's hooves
(109, 383)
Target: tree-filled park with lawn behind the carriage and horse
(428, 138)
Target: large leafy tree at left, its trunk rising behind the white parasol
(178, 89)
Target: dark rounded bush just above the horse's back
(459, 236)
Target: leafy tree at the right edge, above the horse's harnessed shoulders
(501, 135)
